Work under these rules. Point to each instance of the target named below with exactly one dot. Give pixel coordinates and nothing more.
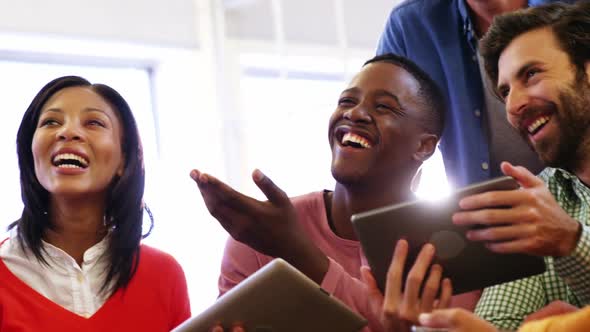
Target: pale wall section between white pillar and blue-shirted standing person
(356, 23)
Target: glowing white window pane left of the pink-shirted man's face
(285, 124)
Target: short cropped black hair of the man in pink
(431, 97)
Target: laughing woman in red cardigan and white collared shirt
(74, 260)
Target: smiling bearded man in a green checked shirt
(539, 60)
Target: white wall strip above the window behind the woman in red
(164, 23)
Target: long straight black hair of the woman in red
(124, 205)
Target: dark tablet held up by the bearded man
(469, 265)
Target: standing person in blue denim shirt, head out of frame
(442, 38)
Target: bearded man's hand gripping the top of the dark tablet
(527, 220)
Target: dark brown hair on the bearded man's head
(569, 22)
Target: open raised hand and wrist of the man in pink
(270, 227)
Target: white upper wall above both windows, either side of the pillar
(175, 23)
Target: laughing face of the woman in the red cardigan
(77, 146)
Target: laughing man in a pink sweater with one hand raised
(386, 123)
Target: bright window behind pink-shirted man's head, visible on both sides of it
(285, 109)
